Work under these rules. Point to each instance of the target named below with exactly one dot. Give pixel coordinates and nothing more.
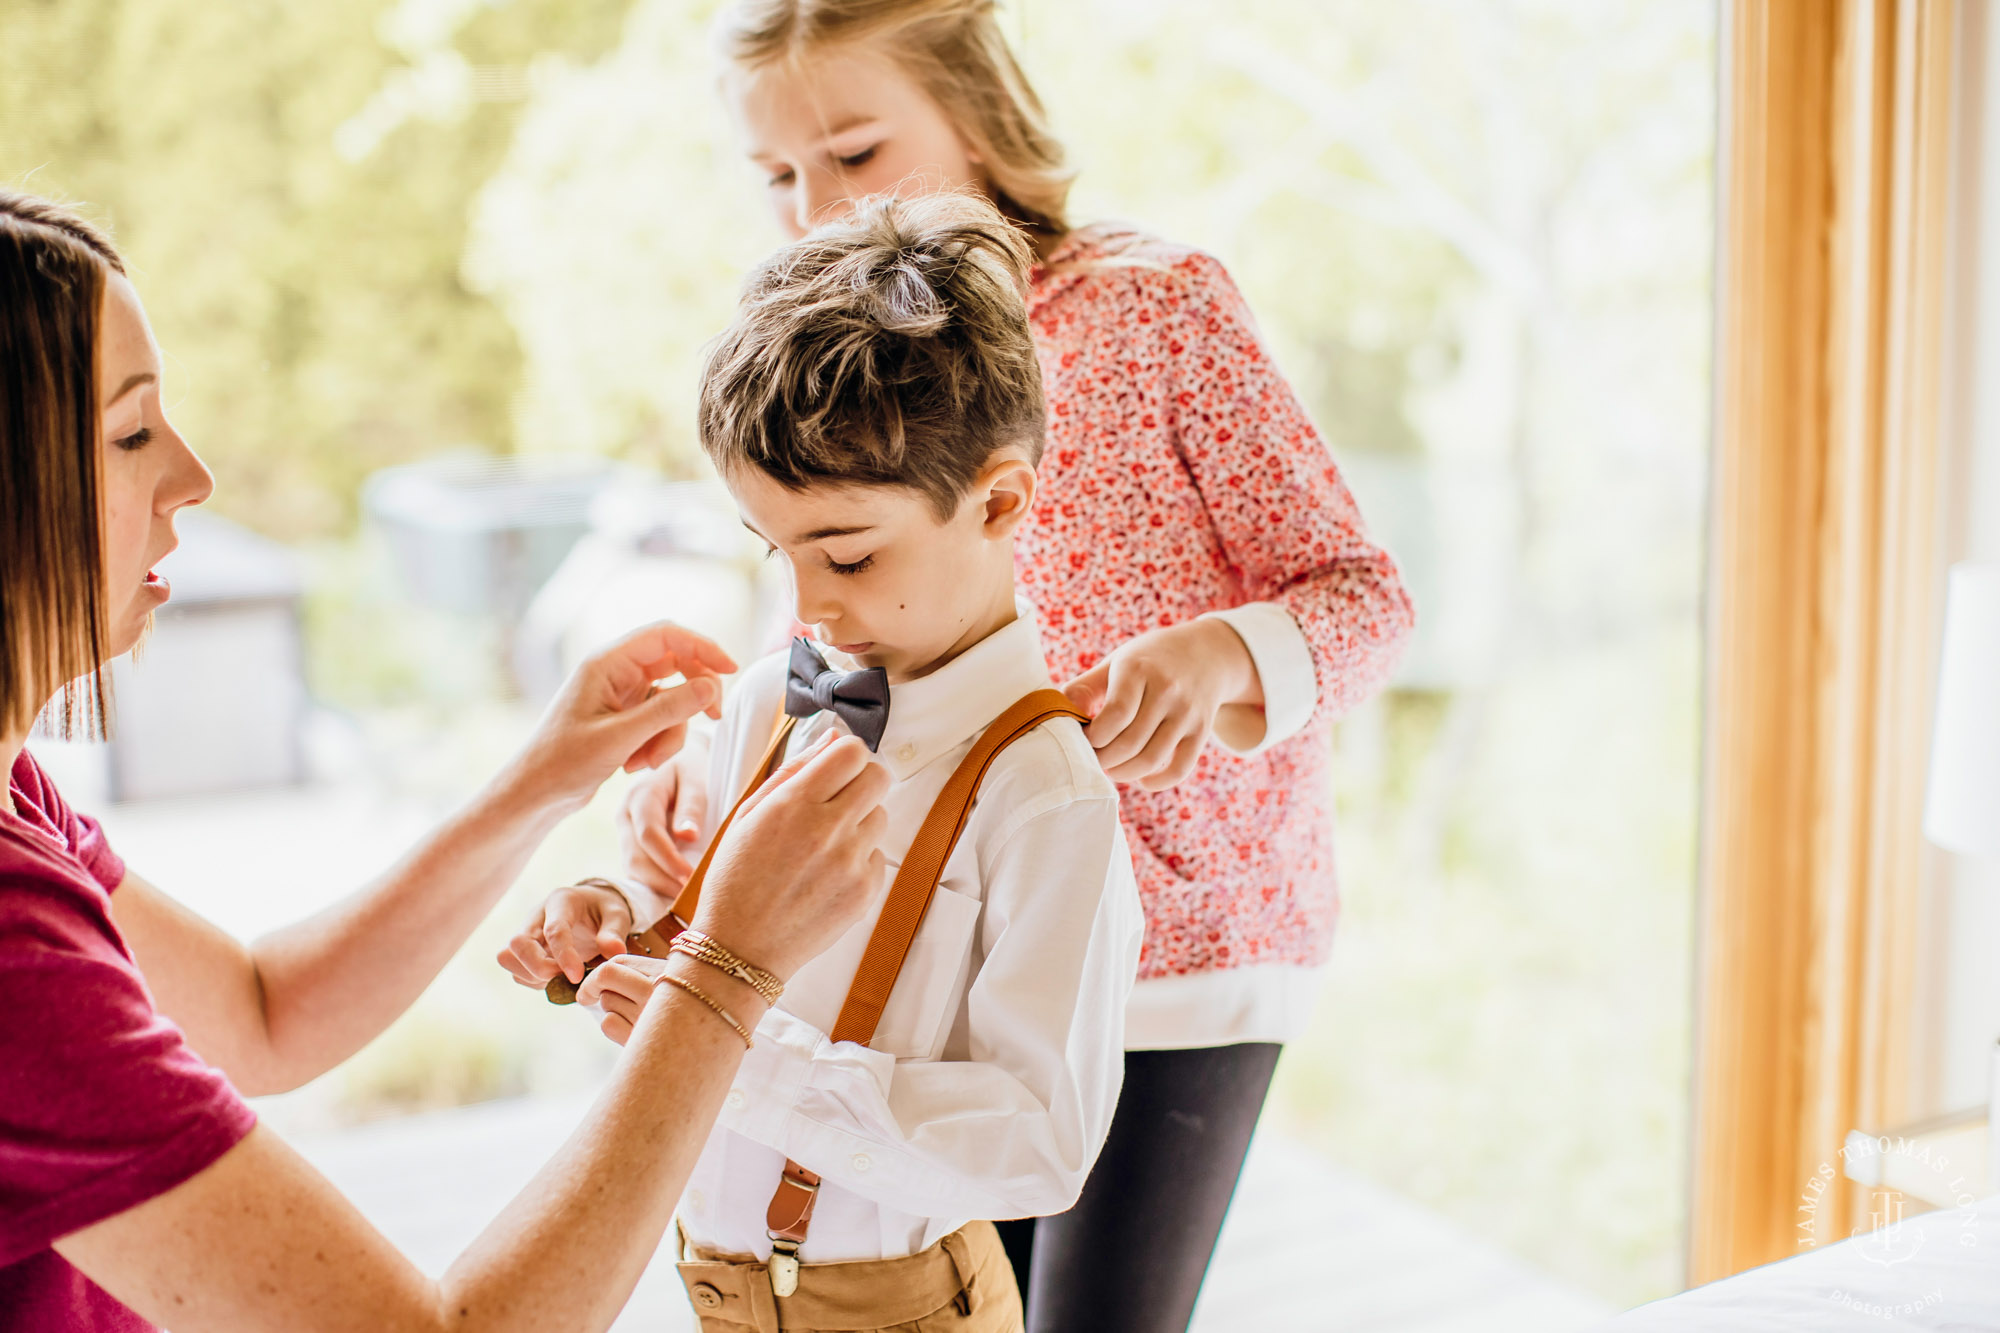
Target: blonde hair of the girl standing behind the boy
(955, 51)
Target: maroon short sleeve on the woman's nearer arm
(103, 1106)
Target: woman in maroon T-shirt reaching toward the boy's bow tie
(135, 1184)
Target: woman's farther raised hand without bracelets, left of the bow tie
(611, 716)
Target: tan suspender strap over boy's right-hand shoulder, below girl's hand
(923, 866)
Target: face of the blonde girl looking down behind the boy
(841, 127)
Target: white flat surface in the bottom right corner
(1935, 1272)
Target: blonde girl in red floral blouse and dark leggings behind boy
(1201, 571)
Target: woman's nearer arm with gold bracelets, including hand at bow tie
(263, 1242)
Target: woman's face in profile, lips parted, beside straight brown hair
(147, 471)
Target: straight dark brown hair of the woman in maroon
(53, 271)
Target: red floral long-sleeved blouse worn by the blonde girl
(1183, 477)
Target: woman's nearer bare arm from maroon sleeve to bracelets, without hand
(265, 1242)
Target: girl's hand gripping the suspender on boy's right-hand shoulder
(1157, 700)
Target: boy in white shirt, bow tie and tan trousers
(877, 413)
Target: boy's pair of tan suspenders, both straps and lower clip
(791, 1210)
